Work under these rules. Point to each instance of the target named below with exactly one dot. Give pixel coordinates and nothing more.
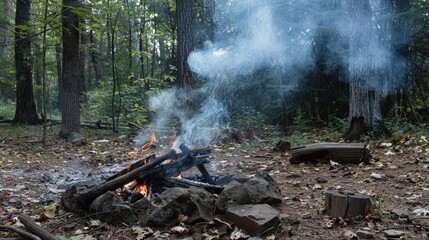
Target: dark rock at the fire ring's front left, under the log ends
(111, 209)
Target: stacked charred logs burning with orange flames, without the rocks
(146, 176)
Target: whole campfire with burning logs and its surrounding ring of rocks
(154, 191)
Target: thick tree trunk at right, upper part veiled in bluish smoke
(365, 76)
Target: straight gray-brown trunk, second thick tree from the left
(70, 95)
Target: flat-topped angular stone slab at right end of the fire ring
(254, 219)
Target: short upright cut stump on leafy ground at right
(344, 204)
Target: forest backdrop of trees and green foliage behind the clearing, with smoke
(354, 67)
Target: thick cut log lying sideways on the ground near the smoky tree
(337, 152)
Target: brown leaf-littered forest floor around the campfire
(33, 177)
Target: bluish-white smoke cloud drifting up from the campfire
(275, 35)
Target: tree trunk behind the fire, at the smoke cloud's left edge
(185, 42)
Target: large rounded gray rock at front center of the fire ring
(195, 204)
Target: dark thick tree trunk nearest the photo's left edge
(25, 105)
